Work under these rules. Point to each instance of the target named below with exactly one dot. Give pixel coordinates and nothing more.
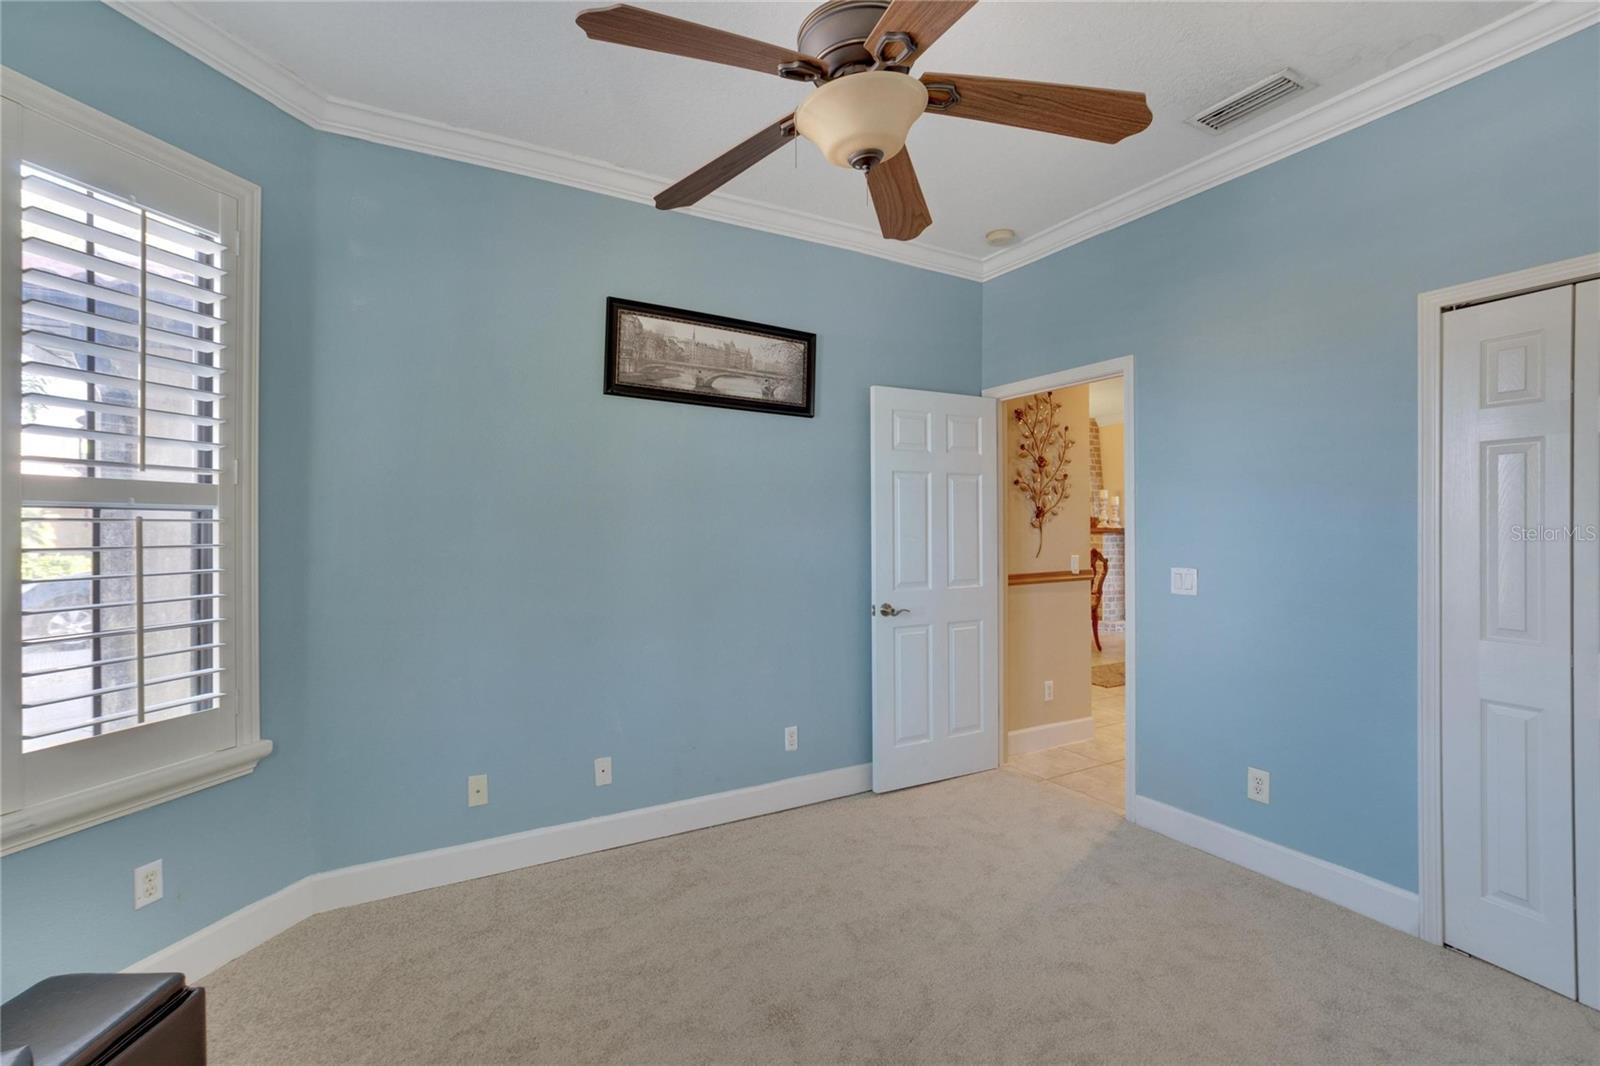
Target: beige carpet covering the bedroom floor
(991, 920)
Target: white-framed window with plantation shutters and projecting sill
(129, 628)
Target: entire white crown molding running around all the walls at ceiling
(1511, 38)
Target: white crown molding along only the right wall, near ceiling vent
(1511, 38)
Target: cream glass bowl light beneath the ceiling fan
(863, 116)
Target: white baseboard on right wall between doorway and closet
(1366, 896)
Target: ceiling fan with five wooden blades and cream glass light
(858, 55)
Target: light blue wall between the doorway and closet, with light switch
(1273, 324)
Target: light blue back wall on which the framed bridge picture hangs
(522, 574)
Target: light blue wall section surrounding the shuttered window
(68, 905)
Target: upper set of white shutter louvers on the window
(122, 367)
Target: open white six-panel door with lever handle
(935, 588)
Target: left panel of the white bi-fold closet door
(1508, 635)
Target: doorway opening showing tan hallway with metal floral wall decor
(1066, 516)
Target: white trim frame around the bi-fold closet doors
(1431, 846)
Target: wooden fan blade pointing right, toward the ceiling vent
(1074, 111)
